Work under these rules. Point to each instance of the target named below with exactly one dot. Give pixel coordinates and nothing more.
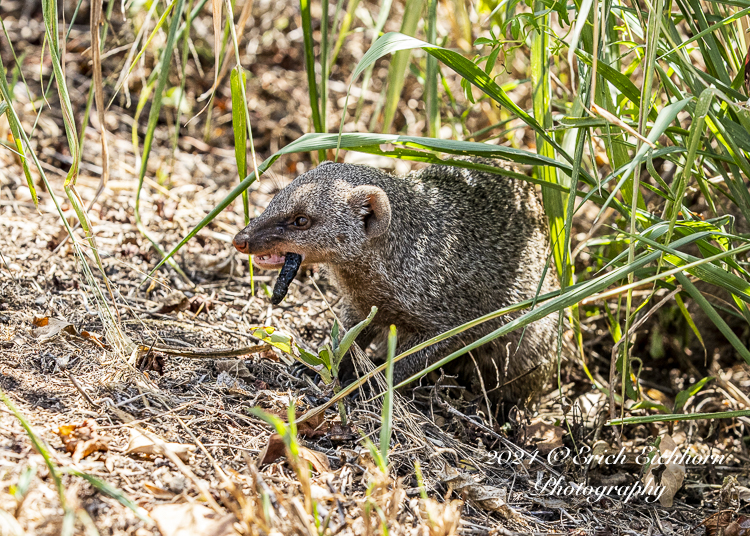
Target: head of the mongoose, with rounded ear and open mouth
(328, 215)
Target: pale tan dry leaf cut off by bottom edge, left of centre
(192, 520)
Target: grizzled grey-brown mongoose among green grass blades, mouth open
(431, 250)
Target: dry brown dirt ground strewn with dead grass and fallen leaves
(108, 413)
